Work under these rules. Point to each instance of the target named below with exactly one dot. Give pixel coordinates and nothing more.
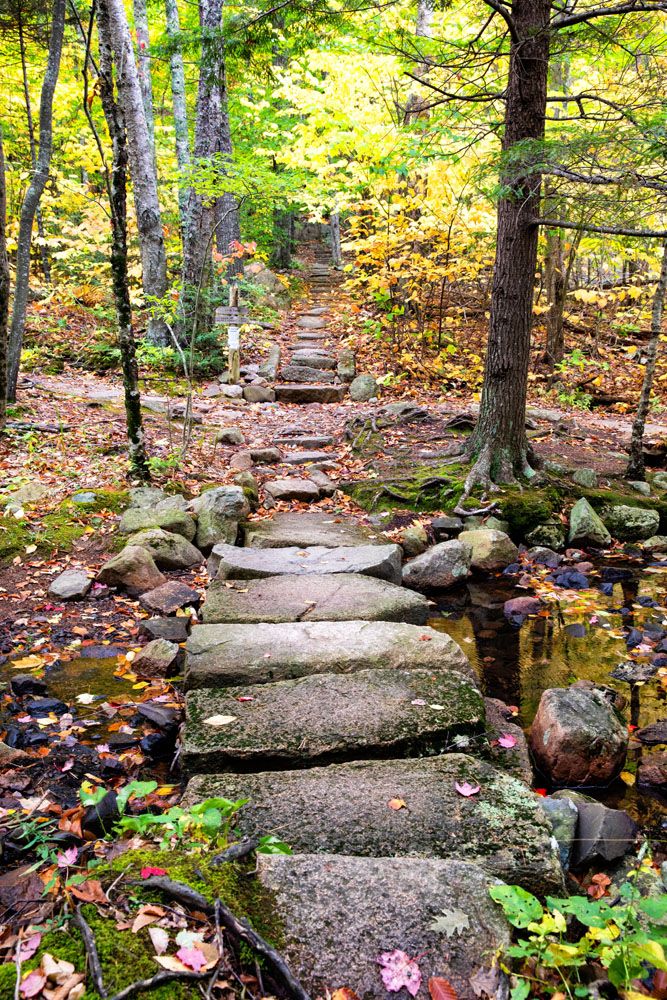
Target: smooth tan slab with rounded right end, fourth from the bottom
(220, 655)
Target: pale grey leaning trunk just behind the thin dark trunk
(142, 167)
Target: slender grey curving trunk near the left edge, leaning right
(32, 196)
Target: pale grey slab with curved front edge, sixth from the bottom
(228, 562)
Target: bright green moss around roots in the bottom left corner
(124, 957)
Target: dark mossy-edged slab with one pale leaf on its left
(323, 718)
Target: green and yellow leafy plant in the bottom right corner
(568, 937)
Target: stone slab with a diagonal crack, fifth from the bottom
(332, 597)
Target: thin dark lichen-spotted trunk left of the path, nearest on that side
(118, 203)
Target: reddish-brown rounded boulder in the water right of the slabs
(577, 738)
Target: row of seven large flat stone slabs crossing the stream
(316, 690)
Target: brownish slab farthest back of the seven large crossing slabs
(292, 528)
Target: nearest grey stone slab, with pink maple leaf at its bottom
(338, 914)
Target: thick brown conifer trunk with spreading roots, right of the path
(499, 442)
